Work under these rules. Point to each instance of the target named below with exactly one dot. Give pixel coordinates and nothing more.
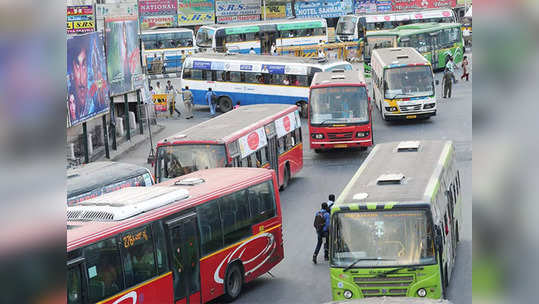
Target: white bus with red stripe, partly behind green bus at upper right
(353, 27)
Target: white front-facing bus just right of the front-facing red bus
(403, 83)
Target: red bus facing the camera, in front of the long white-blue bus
(339, 111)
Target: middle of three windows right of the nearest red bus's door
(236, 217)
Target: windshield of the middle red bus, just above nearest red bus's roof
(177, 160)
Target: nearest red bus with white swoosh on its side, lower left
(187, 240)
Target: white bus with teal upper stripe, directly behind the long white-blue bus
(240, 38)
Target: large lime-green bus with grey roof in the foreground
(395, 227)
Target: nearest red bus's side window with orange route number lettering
(138, 256)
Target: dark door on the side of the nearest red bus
(184, 258)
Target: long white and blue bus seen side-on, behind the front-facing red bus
(253, 79)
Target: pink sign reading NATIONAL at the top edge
(158, 13)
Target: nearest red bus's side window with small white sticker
(104, 270)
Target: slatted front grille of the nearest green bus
(384, 286)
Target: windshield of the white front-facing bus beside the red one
(409, 81)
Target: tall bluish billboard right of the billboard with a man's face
(123, 55)
